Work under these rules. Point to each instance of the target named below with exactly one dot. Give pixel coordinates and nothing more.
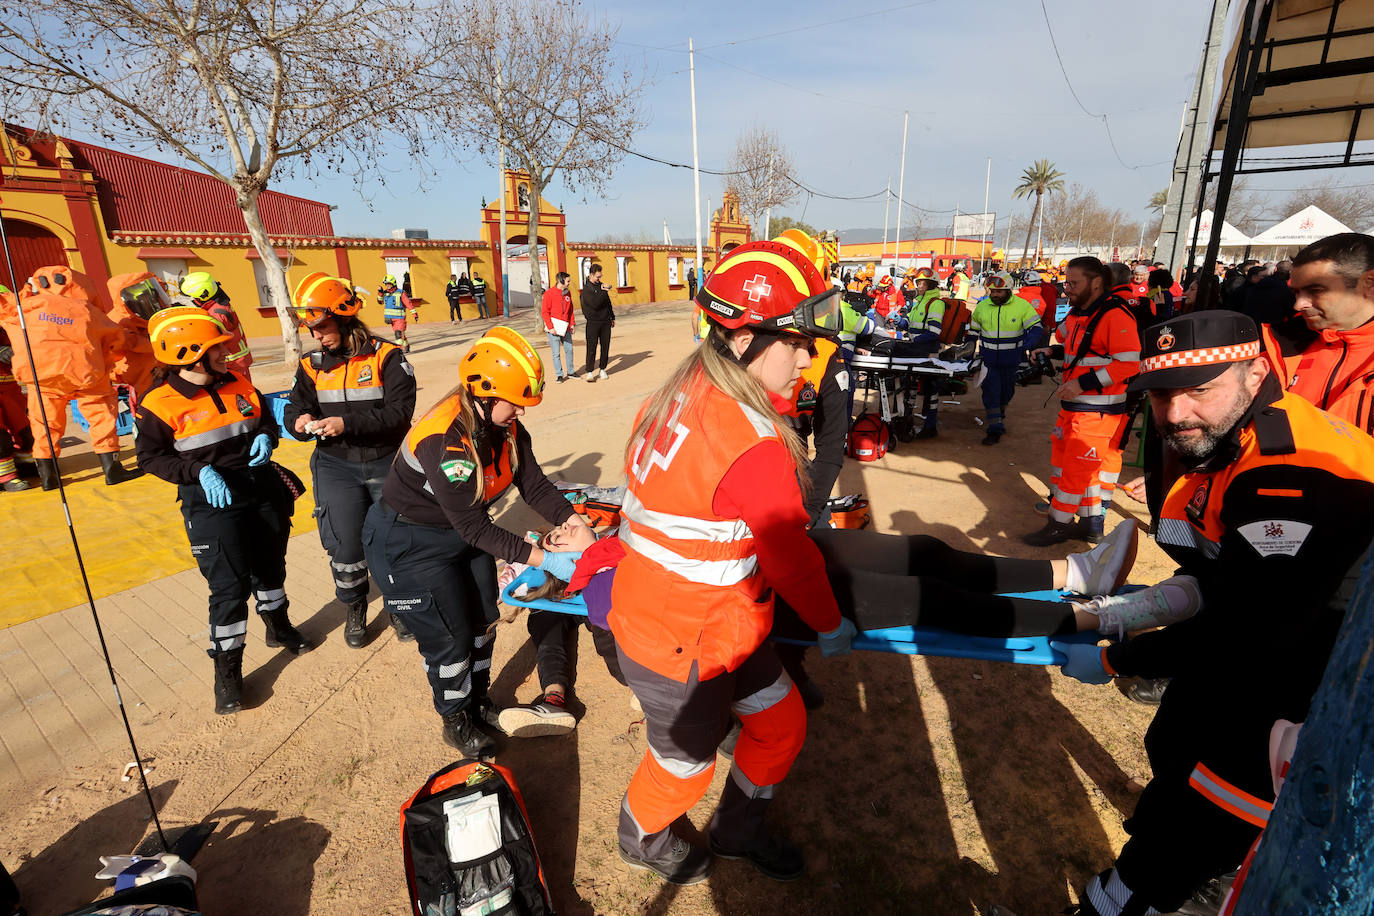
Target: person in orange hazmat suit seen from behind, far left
(74, 347)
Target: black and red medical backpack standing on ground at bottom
(469, 849)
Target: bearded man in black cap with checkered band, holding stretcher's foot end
(1268, 503)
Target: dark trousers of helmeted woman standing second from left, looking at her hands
(344, 492)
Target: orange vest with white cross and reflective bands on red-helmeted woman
(690, 588)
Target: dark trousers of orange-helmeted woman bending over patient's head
(444, 590)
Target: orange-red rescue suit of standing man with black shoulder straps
(1085, 454)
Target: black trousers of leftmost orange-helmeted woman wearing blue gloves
(241, 551)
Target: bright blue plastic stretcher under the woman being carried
(903, 641)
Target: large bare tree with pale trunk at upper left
(243, 90)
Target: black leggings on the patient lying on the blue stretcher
(914, 580)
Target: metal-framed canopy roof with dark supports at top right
(1296, 73)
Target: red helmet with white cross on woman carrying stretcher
(772, 286)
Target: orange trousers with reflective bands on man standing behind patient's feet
(1086, 463)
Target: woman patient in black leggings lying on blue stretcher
(914, 580)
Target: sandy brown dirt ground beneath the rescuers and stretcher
(927, 786)
